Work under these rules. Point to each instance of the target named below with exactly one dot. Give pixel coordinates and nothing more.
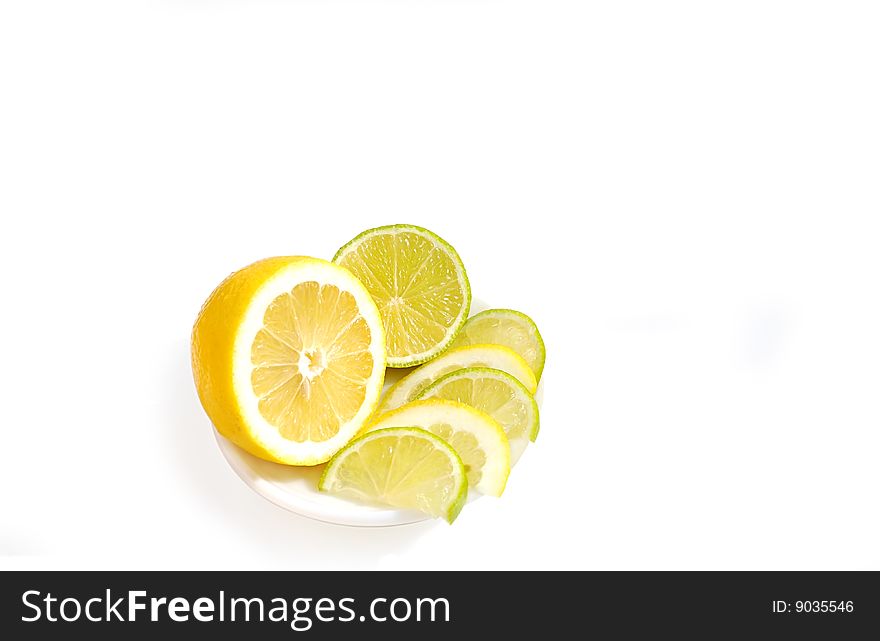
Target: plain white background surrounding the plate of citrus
(683, 194)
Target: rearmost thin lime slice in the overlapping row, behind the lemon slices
(509, 328)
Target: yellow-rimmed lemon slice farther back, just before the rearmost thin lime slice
(495, 356)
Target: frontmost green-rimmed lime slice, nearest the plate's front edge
(403, 467)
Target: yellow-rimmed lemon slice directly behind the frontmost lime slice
(477, 438)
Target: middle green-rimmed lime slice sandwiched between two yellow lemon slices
(496, 393)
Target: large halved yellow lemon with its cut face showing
(289, 358)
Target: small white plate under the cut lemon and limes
(296, 488)
